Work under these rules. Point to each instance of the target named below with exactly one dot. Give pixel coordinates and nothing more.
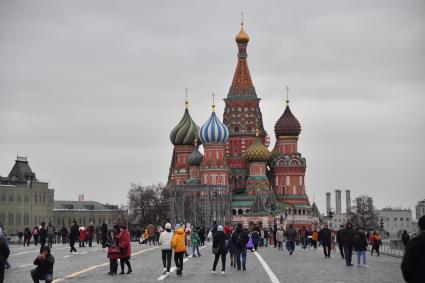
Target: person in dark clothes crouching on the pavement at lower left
(44, 269)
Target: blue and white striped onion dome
(214, 131)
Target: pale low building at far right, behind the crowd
(396, 220)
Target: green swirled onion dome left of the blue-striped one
(185, 132)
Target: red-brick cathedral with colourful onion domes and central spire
(266, 186)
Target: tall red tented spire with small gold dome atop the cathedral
(242, 84)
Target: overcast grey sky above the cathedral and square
(90, 90)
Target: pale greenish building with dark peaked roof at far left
(24, 201)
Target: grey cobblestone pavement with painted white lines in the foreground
(269, 265)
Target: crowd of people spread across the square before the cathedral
(234, 241)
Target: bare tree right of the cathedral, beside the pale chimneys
(363, 213)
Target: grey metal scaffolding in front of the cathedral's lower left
(200, 204)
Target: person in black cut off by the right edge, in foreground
(413, 263)
